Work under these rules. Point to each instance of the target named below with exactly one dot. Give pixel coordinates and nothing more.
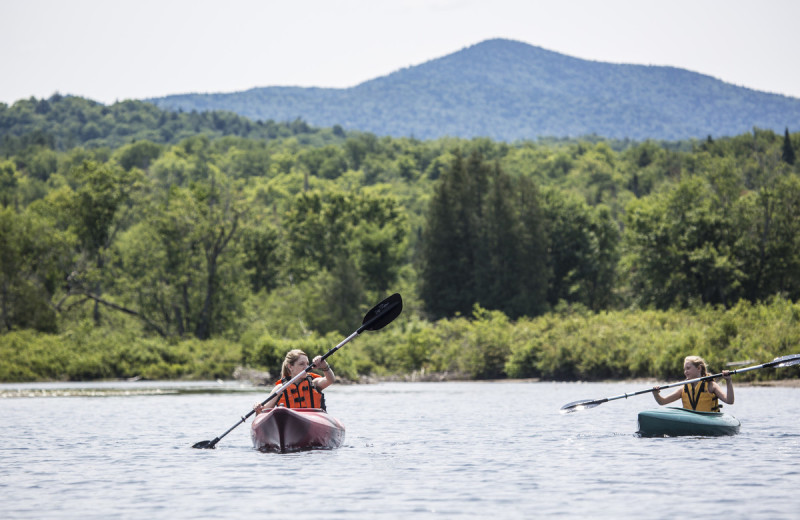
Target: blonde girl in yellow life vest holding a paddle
(703, 396)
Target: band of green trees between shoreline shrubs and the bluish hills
(259, 241)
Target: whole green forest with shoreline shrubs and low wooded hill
(142, 243)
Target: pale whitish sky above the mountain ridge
(112, 50)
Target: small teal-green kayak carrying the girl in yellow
(679, 421)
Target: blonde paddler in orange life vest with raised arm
(306, 392)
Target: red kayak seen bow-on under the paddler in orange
(284, 430)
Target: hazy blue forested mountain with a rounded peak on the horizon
(509, 90)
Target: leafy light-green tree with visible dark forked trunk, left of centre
(178, 270)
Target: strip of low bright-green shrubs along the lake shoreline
(570, 344)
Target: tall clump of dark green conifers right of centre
(484, 243)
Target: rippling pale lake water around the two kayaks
(412, 450)
